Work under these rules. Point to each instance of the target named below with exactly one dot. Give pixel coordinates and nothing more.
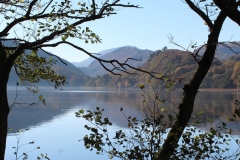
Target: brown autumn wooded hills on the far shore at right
(180, 65)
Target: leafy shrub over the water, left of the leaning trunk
(142, 140)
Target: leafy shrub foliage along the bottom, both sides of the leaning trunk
(145, 137)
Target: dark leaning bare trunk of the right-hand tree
(190, 91)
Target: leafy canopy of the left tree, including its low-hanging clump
(41, 22)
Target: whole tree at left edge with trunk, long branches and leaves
(46, 23)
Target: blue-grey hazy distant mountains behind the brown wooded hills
(75, 76)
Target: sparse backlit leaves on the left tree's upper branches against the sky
(63, 14)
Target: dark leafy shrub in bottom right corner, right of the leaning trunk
(197, 143)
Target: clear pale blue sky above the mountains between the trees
(148, 28)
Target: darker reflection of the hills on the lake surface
(214, 105)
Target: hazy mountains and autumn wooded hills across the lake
(178, 62)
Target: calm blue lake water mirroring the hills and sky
(56, 130)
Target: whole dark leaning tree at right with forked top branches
(214, 14)
